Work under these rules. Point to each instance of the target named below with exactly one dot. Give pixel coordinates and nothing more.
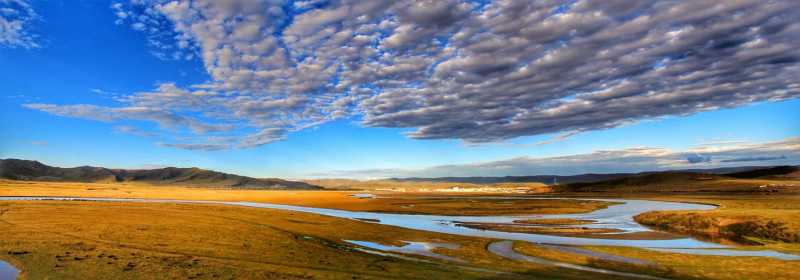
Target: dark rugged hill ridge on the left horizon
(17, 169)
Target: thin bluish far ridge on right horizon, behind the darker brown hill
(570, 179)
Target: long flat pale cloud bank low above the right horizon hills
(784, 152)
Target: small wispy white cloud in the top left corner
(16, 18)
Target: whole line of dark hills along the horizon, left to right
(29, 170)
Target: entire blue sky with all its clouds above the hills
(373, 89)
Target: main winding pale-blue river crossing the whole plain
(618, 216)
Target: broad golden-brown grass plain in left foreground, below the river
(115, 240)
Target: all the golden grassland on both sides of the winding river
(114, 240)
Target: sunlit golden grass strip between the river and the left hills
(323, 199)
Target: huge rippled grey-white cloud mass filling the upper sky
(448, 69)
